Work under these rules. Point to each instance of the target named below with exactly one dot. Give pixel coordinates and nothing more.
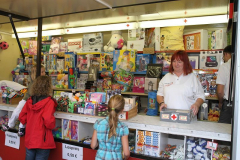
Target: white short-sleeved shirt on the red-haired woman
(180, 92)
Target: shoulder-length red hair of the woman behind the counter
(183, 56)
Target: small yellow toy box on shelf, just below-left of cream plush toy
(106, 61)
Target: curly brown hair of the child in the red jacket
(42, 86)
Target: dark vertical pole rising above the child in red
(39, 46)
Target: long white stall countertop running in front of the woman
(209, 130)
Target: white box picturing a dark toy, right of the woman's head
(211, 59)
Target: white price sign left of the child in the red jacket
(12, 140)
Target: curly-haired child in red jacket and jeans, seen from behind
(38, 115)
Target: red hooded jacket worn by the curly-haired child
(40, 120)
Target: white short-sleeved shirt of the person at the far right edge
(223, 77)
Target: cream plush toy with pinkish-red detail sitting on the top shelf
(116, 42)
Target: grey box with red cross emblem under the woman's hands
(173, 115)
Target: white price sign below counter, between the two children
(71, 152)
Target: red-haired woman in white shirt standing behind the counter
(180, 88)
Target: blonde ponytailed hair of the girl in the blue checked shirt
(115, 106)
